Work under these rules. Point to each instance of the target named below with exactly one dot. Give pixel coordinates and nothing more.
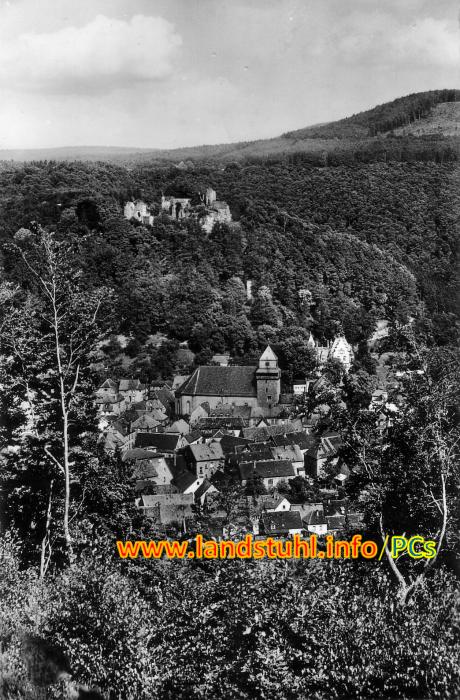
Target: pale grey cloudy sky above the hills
(170, 73)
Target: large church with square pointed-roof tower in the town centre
(255, 386)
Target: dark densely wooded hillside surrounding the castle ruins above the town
(321, 245)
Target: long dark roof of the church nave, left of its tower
(220, 381)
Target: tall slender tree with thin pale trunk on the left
(52, 328)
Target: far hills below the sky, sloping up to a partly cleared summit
(418, 127)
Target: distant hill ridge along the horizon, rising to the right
(434, 113)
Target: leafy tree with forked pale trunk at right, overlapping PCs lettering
(406, 474)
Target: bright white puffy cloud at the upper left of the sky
(104, 54)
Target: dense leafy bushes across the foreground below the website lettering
(234, 629)
